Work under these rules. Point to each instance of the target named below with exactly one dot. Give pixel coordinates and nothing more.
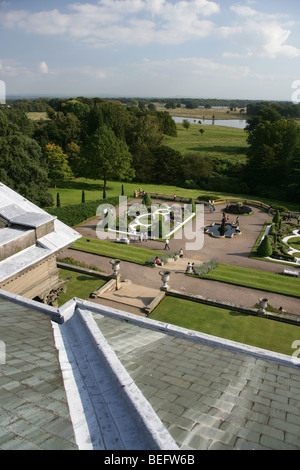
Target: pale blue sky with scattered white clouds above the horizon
(233, 49)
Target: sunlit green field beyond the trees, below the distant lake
(221, 142)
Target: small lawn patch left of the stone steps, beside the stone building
(80, 285)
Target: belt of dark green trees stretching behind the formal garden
(109, 140)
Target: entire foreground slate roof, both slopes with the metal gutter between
(183, 388)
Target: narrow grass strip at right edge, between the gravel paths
(255, 279)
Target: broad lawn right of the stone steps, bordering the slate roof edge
(259, 332)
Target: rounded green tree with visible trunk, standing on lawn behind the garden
(107, 157)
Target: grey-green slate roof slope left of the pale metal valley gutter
(34, 412)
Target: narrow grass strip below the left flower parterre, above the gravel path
(115, 250)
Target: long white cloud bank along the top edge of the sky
(120, 21)
